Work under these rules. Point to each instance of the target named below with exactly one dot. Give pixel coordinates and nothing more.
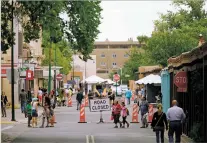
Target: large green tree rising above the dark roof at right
(177, 32)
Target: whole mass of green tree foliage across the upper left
(81, 30)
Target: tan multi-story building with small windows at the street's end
(111, 55)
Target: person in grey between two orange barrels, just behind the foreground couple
(143, 107)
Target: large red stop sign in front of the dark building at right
(181, 81)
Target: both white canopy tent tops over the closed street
(150, 79)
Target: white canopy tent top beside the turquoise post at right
(150, 79)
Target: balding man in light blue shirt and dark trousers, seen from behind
(176, 117)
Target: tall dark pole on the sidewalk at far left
(12, 68)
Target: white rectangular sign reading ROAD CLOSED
(97, 105)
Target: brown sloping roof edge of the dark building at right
(188, 57)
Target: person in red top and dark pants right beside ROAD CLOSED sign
(117, 114)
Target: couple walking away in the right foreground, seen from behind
(171, 121)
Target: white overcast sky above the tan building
(122, 20)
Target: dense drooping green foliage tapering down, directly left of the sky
(82, 30)
